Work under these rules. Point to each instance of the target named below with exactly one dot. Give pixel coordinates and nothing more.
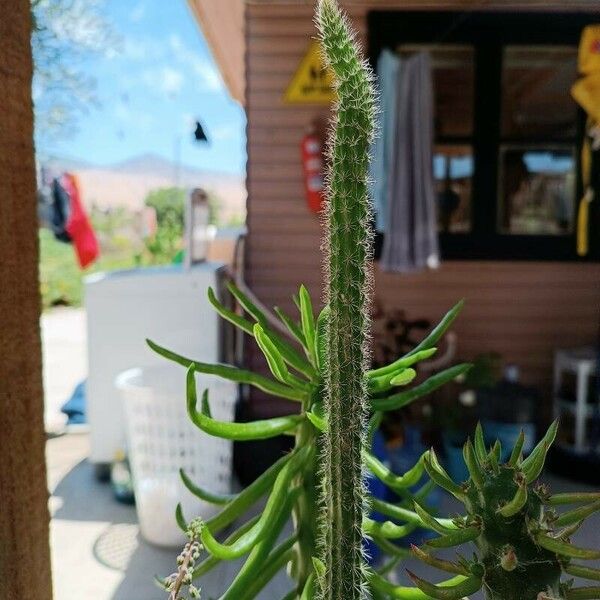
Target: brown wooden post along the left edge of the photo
(24, 547)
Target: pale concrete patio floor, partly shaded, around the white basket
(97, 551)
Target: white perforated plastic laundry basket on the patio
(161, 440)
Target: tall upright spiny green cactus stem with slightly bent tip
(347, 247)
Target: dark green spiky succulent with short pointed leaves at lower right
(523, 544)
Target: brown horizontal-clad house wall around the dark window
(522, 310)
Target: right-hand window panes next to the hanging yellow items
(537, 184)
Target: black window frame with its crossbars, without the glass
(489, 33)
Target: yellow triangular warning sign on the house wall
(313, 81)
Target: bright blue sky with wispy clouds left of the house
(151, 88)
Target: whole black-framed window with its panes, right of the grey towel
(507, 132)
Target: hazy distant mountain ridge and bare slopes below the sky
(128, 182)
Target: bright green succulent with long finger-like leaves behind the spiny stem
(293, 483)
